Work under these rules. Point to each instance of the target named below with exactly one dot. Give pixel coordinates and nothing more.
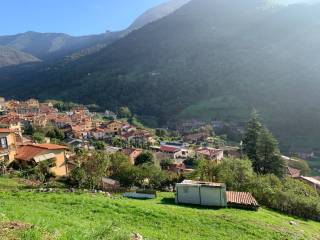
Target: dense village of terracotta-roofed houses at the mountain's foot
(80, 129)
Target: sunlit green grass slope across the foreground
(25, 214)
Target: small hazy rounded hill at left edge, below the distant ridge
(10, 57)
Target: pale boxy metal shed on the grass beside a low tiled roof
(201, 193)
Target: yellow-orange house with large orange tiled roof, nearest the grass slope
(35, 153)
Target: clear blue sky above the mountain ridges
(75, 17)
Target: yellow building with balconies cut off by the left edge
(8, 145)
